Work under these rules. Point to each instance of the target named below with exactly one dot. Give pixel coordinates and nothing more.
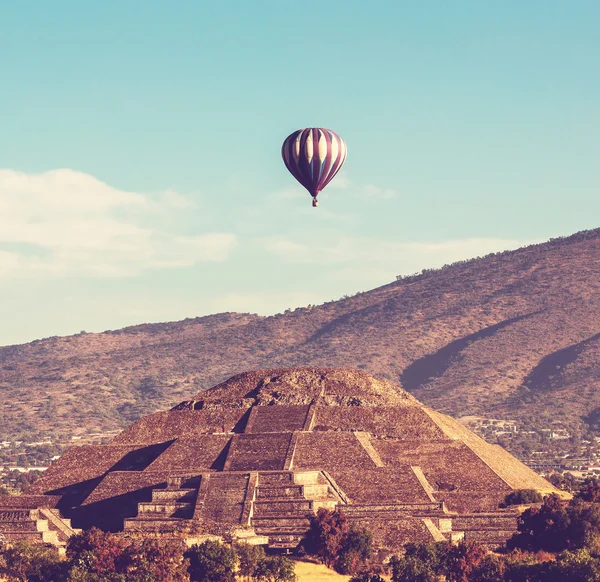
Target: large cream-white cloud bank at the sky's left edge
(65, 222)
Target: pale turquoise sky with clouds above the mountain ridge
(140, 170)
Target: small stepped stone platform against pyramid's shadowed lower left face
(170, 509)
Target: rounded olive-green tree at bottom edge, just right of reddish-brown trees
(211, 561)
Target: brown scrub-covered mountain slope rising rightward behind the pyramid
(512, 335)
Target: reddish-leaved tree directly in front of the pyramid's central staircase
(325, 536)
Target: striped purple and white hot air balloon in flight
(314, 156)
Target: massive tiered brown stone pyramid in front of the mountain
(262, 451)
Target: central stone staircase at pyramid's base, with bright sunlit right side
(283, 503)
